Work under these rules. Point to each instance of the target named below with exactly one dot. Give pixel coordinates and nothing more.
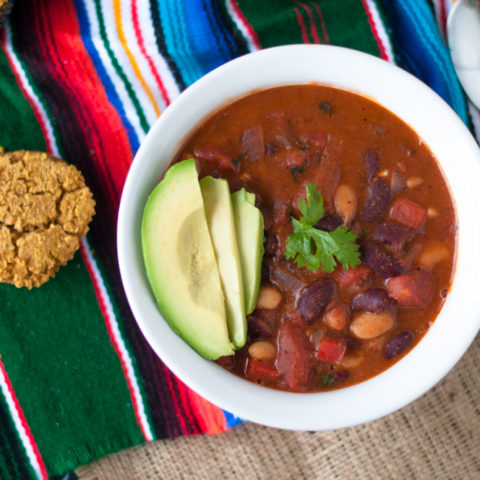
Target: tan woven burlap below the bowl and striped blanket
(436, 437)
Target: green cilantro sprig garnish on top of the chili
(313, 248)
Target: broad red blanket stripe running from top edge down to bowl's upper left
(71, 67)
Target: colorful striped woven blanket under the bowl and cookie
(85, 79)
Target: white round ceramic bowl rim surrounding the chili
(459, 157)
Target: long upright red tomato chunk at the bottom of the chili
(293, 356)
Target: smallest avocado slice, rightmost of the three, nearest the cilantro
(249, 227)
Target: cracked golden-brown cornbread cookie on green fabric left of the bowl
(45, 209)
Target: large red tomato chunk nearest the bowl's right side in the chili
(414, 289)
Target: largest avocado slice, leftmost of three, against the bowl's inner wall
(180, 262)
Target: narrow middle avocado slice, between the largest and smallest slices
(218, 208)
